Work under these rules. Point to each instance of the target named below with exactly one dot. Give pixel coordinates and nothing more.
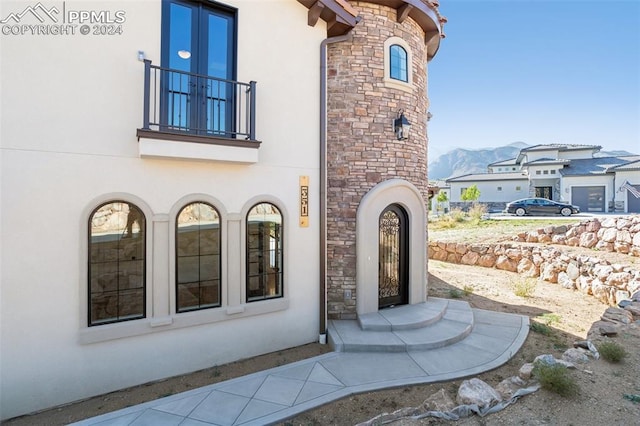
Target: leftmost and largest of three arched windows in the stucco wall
(117, 281)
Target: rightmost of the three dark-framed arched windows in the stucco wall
(264, 252)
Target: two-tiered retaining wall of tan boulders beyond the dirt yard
(609, 283)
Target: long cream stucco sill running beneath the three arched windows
(121, 330)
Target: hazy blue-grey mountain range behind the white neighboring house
(460, 161)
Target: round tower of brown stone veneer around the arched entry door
(368, 168)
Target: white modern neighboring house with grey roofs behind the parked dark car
(560, 172)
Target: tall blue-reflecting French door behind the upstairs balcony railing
(198, 55)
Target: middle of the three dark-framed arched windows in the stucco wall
(197, 257)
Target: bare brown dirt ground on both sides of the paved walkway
(570, 314)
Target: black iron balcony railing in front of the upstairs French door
(181, 102)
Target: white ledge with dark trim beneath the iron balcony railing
(157, 144)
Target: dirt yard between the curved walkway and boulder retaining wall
(602, 385)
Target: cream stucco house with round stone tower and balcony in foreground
(188, 183)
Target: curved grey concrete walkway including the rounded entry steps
(436, 341)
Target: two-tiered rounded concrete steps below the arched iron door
(434, 324)
